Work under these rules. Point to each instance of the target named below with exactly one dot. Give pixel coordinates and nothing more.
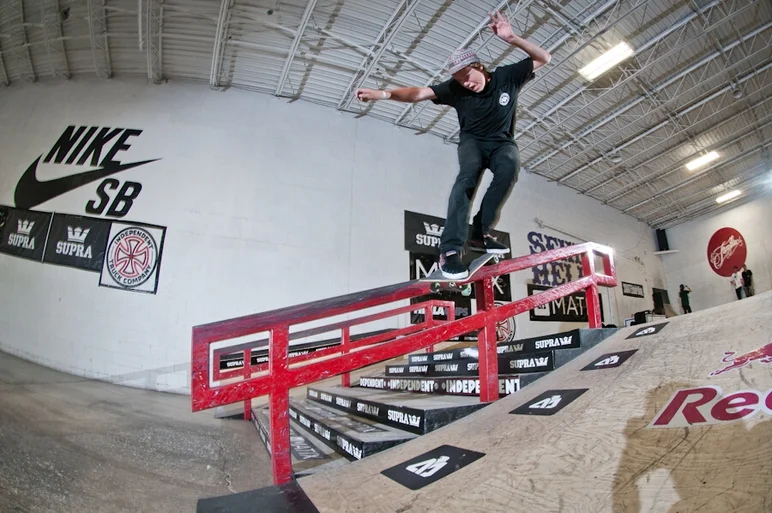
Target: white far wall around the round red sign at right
(690, 265)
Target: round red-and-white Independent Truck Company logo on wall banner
(132, 257)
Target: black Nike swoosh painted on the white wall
(31, 192)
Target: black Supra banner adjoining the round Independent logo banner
(77, 241)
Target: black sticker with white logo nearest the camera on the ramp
(431, 466)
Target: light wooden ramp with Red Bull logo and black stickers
(648, 430)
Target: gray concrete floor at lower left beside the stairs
(69, 444)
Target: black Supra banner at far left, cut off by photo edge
(24, 233)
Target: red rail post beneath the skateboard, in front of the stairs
(488, 367)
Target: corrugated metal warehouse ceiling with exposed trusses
(696, 83)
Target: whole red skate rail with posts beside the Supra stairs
(281, 373)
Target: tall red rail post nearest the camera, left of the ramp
(281, 458)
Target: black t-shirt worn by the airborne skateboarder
(490, 114)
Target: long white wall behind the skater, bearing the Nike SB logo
(267, 204)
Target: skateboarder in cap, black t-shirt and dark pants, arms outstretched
(485, 102)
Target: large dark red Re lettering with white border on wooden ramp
(708, 406)
